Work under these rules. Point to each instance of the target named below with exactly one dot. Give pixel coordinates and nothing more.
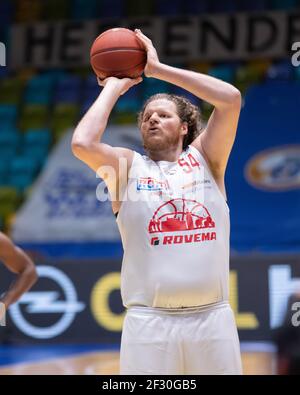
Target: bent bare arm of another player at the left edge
(15, 259)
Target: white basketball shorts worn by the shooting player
(195, 341)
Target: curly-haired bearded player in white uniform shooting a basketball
(174, 280)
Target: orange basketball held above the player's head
(118, 53)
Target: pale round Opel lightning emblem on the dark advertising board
(48, 302)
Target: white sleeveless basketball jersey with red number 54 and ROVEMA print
(174, 225)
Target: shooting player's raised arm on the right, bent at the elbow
(216, 141)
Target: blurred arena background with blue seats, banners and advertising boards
(71, 320)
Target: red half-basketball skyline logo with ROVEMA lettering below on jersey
(179, 215)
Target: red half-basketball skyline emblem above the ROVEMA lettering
(179, 215)
